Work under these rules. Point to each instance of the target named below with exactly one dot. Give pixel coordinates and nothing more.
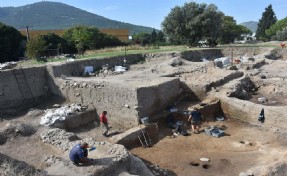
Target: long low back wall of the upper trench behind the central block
(76, 68)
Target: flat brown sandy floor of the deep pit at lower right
(241, 148)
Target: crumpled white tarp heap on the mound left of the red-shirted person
(59, 114)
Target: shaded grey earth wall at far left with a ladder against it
(29, 87)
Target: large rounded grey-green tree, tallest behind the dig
(193, 22)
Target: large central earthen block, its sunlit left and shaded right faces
(124, 103)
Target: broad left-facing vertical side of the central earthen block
(117, 100)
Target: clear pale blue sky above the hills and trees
(151, 13)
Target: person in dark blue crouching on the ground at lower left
(79, 154)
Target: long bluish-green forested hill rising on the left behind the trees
(54, 15)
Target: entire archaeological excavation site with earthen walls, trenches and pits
(47, 109)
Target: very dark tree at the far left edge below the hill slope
(11, 43)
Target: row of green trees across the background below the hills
(187, 24)
